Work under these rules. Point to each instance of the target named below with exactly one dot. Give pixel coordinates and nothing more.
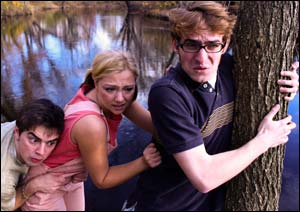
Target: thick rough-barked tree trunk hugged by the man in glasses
(263, 46)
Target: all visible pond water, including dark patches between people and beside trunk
(47, 55)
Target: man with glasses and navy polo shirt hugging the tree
(192, 111)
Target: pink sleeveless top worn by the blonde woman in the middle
(77, 108)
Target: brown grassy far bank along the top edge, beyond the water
(157, 9)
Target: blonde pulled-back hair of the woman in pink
(110, 61)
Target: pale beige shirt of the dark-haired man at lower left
(11, 168)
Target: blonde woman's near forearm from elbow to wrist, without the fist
(119, 174)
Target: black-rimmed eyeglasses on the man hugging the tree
(193, 46)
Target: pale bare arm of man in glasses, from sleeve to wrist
(207, 172)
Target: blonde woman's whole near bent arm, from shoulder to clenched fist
(90, 135)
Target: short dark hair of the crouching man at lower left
(40, 112)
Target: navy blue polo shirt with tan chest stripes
(186, 114)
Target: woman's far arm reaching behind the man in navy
(140, 116)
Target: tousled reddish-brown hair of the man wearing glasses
(201, 16)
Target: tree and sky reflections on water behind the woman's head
(47, 55)
